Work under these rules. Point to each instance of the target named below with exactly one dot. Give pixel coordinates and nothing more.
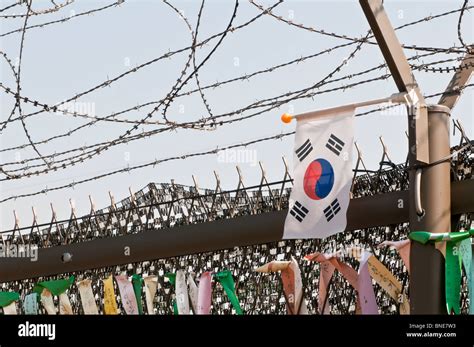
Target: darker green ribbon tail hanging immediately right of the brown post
(453, 277)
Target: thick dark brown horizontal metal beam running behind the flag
(378, 210)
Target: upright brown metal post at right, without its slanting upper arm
(427, 292)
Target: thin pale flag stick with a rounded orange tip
(397, 98)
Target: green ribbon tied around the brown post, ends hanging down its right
(458, 251)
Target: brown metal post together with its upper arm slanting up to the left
(428, 142)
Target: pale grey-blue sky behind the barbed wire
(64, 59)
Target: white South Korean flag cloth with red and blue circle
(322, 176)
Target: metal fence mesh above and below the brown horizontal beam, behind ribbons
(162, 206)
